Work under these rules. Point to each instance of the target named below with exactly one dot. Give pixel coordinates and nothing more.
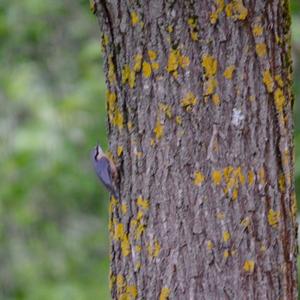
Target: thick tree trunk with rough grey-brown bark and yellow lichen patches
(200, 126)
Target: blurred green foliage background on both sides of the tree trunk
(53, 212)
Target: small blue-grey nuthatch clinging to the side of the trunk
(105, 170)
